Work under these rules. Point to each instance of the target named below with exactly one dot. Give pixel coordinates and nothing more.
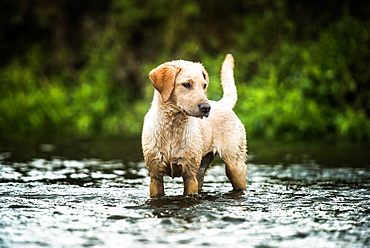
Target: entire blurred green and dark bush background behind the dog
(79, 68)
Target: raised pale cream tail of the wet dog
(230, 95)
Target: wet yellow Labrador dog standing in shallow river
(183, 130)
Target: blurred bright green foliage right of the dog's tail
(305, 90)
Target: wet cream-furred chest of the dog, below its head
(171, 142)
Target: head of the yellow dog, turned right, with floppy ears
(184, 83)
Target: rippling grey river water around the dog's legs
(57, 195)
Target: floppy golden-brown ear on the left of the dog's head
(163, 79)
